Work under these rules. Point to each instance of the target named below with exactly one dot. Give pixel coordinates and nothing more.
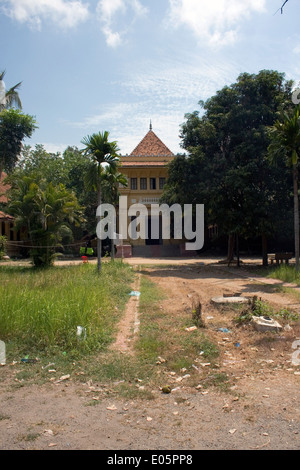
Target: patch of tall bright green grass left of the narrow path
(41, 309)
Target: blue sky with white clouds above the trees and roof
(88, 66)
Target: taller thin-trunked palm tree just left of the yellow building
(102, 153)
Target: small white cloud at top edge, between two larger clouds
(107, 12)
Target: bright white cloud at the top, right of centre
(216, 21)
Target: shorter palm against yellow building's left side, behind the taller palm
(111, 181)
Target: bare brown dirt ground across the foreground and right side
(262, 410)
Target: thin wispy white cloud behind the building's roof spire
(162, 92)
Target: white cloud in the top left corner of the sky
(66, 14)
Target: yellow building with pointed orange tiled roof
(146, 171)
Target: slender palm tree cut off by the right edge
(285, 143)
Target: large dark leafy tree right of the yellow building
(227, 167)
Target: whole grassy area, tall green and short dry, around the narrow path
(40, 311)
